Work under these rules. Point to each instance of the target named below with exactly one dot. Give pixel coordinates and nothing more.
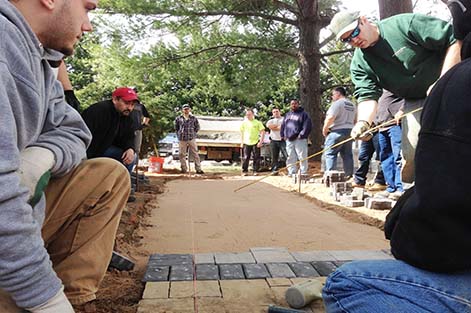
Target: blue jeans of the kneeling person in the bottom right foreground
(393, 286)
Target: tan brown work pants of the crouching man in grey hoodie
(83, 210)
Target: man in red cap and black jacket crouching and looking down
(112, 127)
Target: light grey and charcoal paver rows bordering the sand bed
(259, 263)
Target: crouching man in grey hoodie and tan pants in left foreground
(54, 252)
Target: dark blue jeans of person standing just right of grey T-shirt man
(367, 149)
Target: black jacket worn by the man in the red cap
(108, 127)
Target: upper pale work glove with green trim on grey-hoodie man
(34, 171)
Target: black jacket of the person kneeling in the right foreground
(430, 226)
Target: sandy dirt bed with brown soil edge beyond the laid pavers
(199, 215)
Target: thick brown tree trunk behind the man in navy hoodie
(309, 63)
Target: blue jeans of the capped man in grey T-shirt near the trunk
(345, 151)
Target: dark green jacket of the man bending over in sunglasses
(406, 60)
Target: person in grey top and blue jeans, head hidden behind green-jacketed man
(390, 107)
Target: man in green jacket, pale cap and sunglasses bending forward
(405, 54)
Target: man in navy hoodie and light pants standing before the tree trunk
(295, 130)
